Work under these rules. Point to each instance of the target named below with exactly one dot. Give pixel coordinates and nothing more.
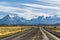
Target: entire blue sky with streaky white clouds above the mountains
(29, 9)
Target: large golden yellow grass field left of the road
(6, 31)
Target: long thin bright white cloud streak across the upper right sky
(42, 6)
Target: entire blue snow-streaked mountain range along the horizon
(16, 20)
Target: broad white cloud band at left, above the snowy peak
(11, 9)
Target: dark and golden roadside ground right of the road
(54, 30)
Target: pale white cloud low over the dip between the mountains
(29, 15)
